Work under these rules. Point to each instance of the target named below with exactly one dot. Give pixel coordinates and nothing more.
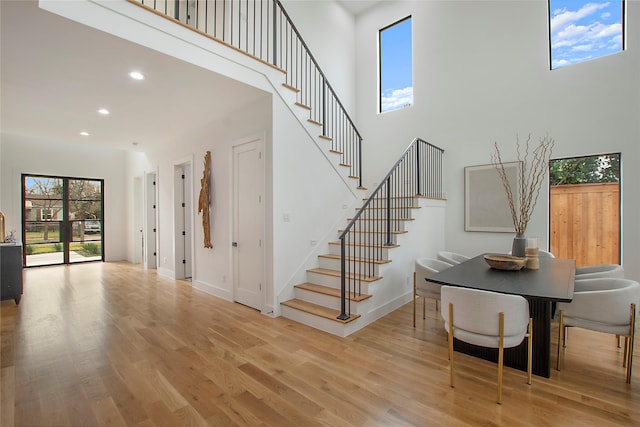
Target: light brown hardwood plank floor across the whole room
(113, 344)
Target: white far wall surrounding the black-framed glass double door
(21, 155)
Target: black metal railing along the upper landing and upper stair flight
(264, 30)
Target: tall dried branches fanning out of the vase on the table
(533, 167)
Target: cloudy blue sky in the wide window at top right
(582, 30)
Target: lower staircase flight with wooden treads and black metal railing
(356, 283)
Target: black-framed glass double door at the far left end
(62, 220)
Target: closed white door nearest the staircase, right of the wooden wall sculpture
(248, 223)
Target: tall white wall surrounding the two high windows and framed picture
(481, 75)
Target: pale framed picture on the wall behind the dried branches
(486, 206)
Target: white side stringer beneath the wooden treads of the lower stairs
(425, 237)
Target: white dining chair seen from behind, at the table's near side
(487, 319)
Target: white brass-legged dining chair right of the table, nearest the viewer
(608, 305)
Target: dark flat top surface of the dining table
(554, 281)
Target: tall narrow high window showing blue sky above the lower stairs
(396, 76)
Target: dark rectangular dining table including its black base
(552, 282)
